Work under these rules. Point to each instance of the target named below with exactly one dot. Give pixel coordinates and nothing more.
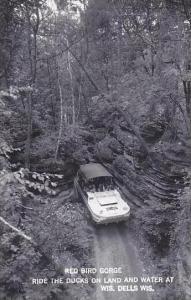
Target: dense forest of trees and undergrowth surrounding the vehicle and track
(83, 81)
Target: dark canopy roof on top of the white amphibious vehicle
(94, 170)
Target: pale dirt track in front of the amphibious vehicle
(114, 248)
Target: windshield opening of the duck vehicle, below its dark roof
(100, 184)
